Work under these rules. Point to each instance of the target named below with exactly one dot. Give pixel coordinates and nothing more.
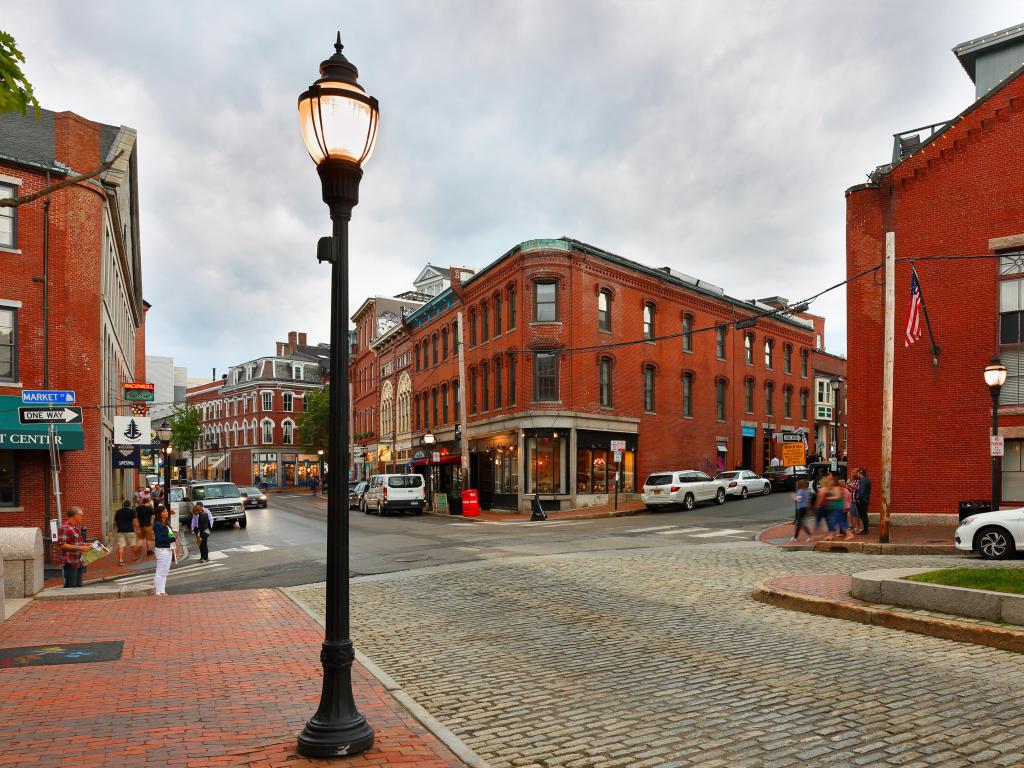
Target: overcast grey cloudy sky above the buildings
(714, 138)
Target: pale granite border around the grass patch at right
(889, 586)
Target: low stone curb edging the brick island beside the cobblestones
(947, 629)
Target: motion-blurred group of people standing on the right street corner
(841, 505)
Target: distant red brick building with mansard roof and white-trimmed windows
(251, 418)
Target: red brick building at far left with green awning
(72, 315)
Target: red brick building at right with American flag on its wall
(952, 190)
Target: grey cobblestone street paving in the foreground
(661, 658)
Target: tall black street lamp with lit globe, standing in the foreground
(339, 129)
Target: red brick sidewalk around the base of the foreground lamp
(226, 679)
